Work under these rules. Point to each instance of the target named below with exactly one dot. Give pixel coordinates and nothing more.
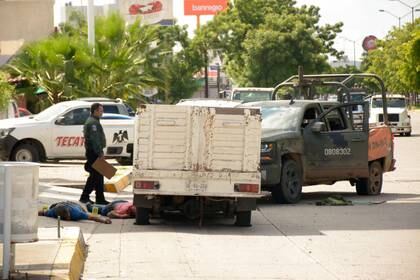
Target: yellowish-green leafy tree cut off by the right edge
(397, 59)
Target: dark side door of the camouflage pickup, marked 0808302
(335, 151)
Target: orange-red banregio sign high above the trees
(203, 7)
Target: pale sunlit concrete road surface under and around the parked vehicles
(376, 238)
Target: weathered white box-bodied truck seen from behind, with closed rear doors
(197, 160)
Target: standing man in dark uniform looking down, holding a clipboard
(94, 144)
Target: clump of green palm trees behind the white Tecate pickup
(126, 60)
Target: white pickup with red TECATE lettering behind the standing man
(57, 133)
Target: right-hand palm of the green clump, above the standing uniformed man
(127, 59)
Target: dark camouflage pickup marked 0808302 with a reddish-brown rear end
(309, 142)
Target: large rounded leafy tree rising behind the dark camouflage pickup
(262, 42)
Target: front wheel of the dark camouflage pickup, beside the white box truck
(290, 188)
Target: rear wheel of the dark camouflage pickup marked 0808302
(373, 184)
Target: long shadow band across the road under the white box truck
(398, 212)
